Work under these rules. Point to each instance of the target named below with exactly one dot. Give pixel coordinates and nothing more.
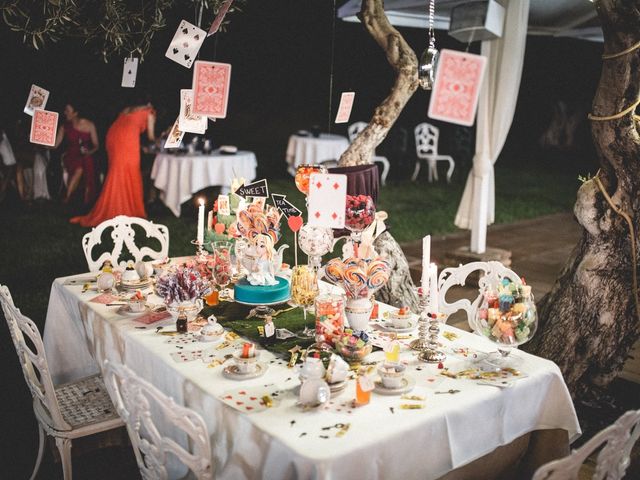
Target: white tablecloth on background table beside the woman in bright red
(178, 177)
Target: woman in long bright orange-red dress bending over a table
(122, 193)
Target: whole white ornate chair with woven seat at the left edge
(67, 411)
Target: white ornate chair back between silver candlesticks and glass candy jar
(494, 272)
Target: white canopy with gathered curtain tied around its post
(561, 18)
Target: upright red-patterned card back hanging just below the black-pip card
(211, 82)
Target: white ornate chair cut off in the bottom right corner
(616, 441)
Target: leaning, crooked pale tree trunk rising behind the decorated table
(399, 290)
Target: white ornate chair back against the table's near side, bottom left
(135, 398)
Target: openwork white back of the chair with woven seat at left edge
(33, 361)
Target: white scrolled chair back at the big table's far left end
(124, 234)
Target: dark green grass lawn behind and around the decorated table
(37, 244)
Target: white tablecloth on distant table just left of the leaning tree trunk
(301, 150)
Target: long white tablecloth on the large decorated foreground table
(284, 442)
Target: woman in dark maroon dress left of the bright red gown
(81, 142)
